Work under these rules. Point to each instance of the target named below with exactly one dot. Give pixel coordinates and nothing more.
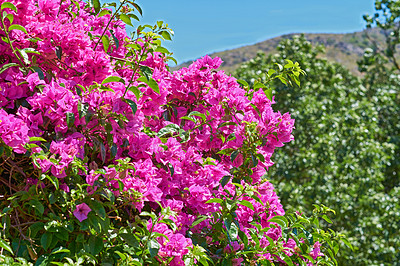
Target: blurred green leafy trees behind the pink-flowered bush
(346, 148)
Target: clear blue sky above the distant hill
(207, 26)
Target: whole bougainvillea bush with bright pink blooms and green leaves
(109, 158)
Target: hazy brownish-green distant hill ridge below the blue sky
(344, 48)
